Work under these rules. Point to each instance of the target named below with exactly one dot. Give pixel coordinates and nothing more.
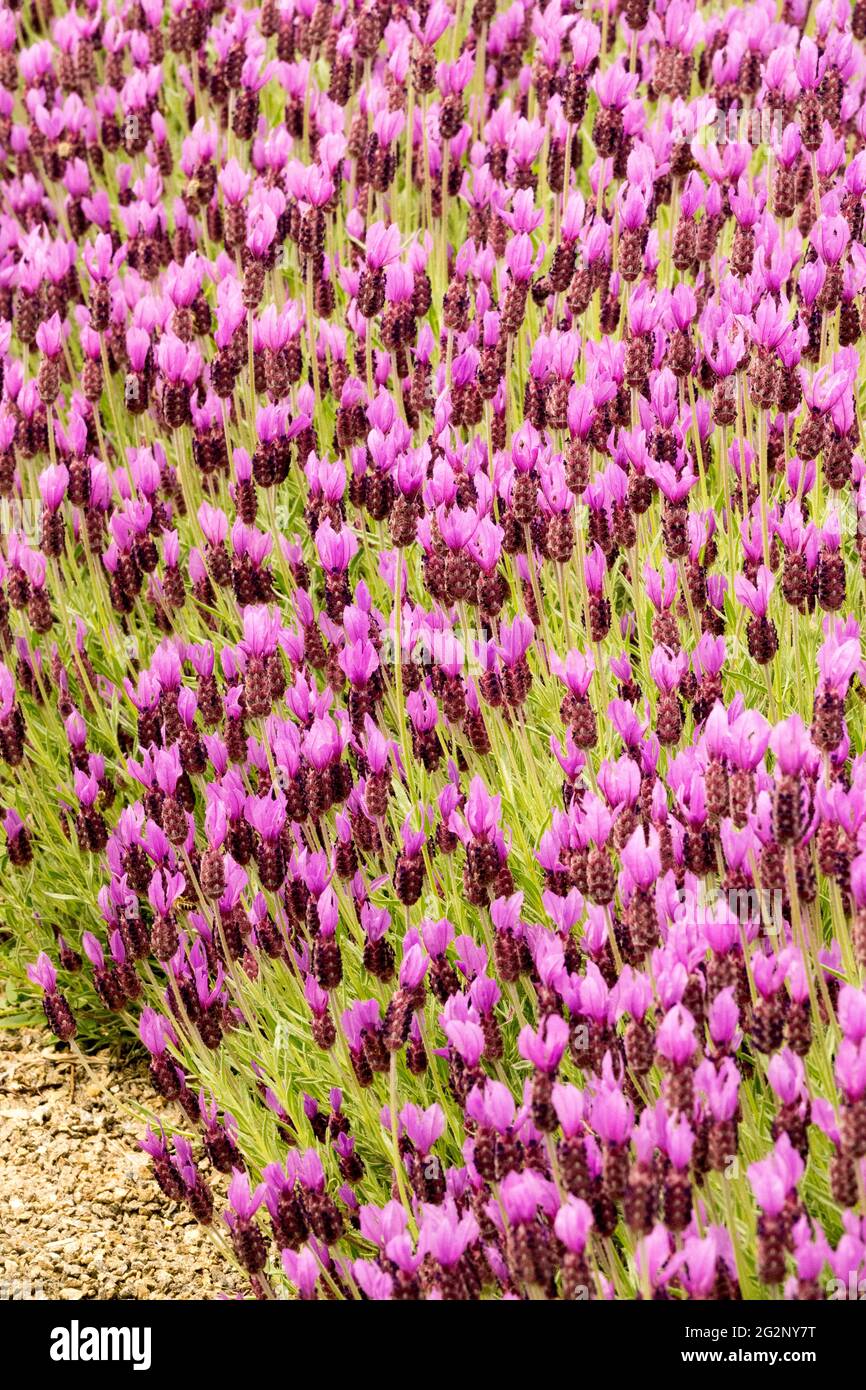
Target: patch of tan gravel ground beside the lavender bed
(81, 1216)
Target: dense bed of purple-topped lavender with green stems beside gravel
(432, 686)
